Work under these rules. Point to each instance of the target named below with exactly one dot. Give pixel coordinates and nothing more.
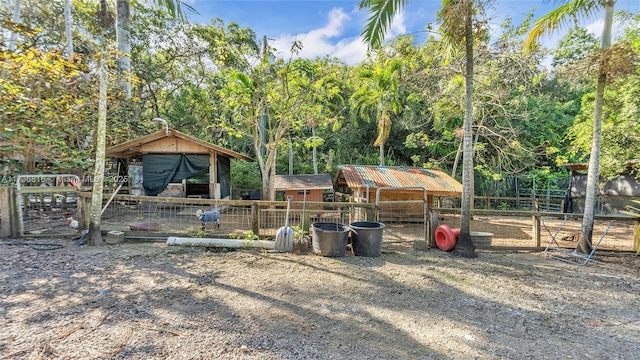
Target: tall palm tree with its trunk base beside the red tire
(457, 23)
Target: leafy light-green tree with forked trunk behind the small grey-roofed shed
(265, 102)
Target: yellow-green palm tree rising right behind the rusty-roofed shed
(378, 95)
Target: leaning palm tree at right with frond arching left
(561, 16)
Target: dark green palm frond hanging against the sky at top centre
(381, 13)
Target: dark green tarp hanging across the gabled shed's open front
(159, 170)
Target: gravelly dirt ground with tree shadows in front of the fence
(153, 301)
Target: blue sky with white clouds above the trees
(332, 28)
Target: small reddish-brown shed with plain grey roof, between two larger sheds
(315, 186)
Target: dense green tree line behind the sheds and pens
(403, 105)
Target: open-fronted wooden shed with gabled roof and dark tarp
(178, 165)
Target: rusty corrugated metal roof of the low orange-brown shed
(435, 181)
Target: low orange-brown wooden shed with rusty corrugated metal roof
(396, 183)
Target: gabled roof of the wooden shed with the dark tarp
(168, 142)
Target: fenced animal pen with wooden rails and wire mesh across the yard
(37, 211)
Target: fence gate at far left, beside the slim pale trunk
(44, 204)
